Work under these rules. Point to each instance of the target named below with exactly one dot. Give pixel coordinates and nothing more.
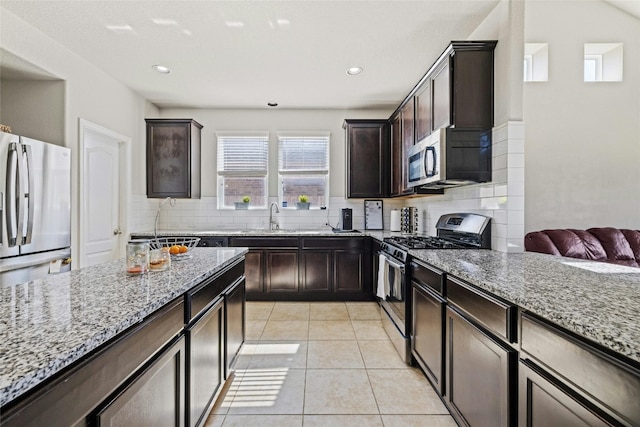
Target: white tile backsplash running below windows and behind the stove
(502, 200)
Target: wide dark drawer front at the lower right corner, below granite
(600, 376)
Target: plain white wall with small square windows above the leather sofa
(582, 139)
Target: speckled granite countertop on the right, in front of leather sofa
(601, 306)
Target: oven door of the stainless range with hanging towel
(395, 290)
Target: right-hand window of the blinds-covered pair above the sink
(303, 166)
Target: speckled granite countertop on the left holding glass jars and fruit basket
(48, 324)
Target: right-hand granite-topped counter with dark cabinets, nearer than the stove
(529, 338)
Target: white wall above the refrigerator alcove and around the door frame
(89, 94)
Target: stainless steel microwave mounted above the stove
(450, 157)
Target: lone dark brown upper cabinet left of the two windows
(173, 158)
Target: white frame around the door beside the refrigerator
(124, 149)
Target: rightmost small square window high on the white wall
(603, 62)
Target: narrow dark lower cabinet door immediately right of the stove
(427, 341)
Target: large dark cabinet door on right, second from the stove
(480, 375)
